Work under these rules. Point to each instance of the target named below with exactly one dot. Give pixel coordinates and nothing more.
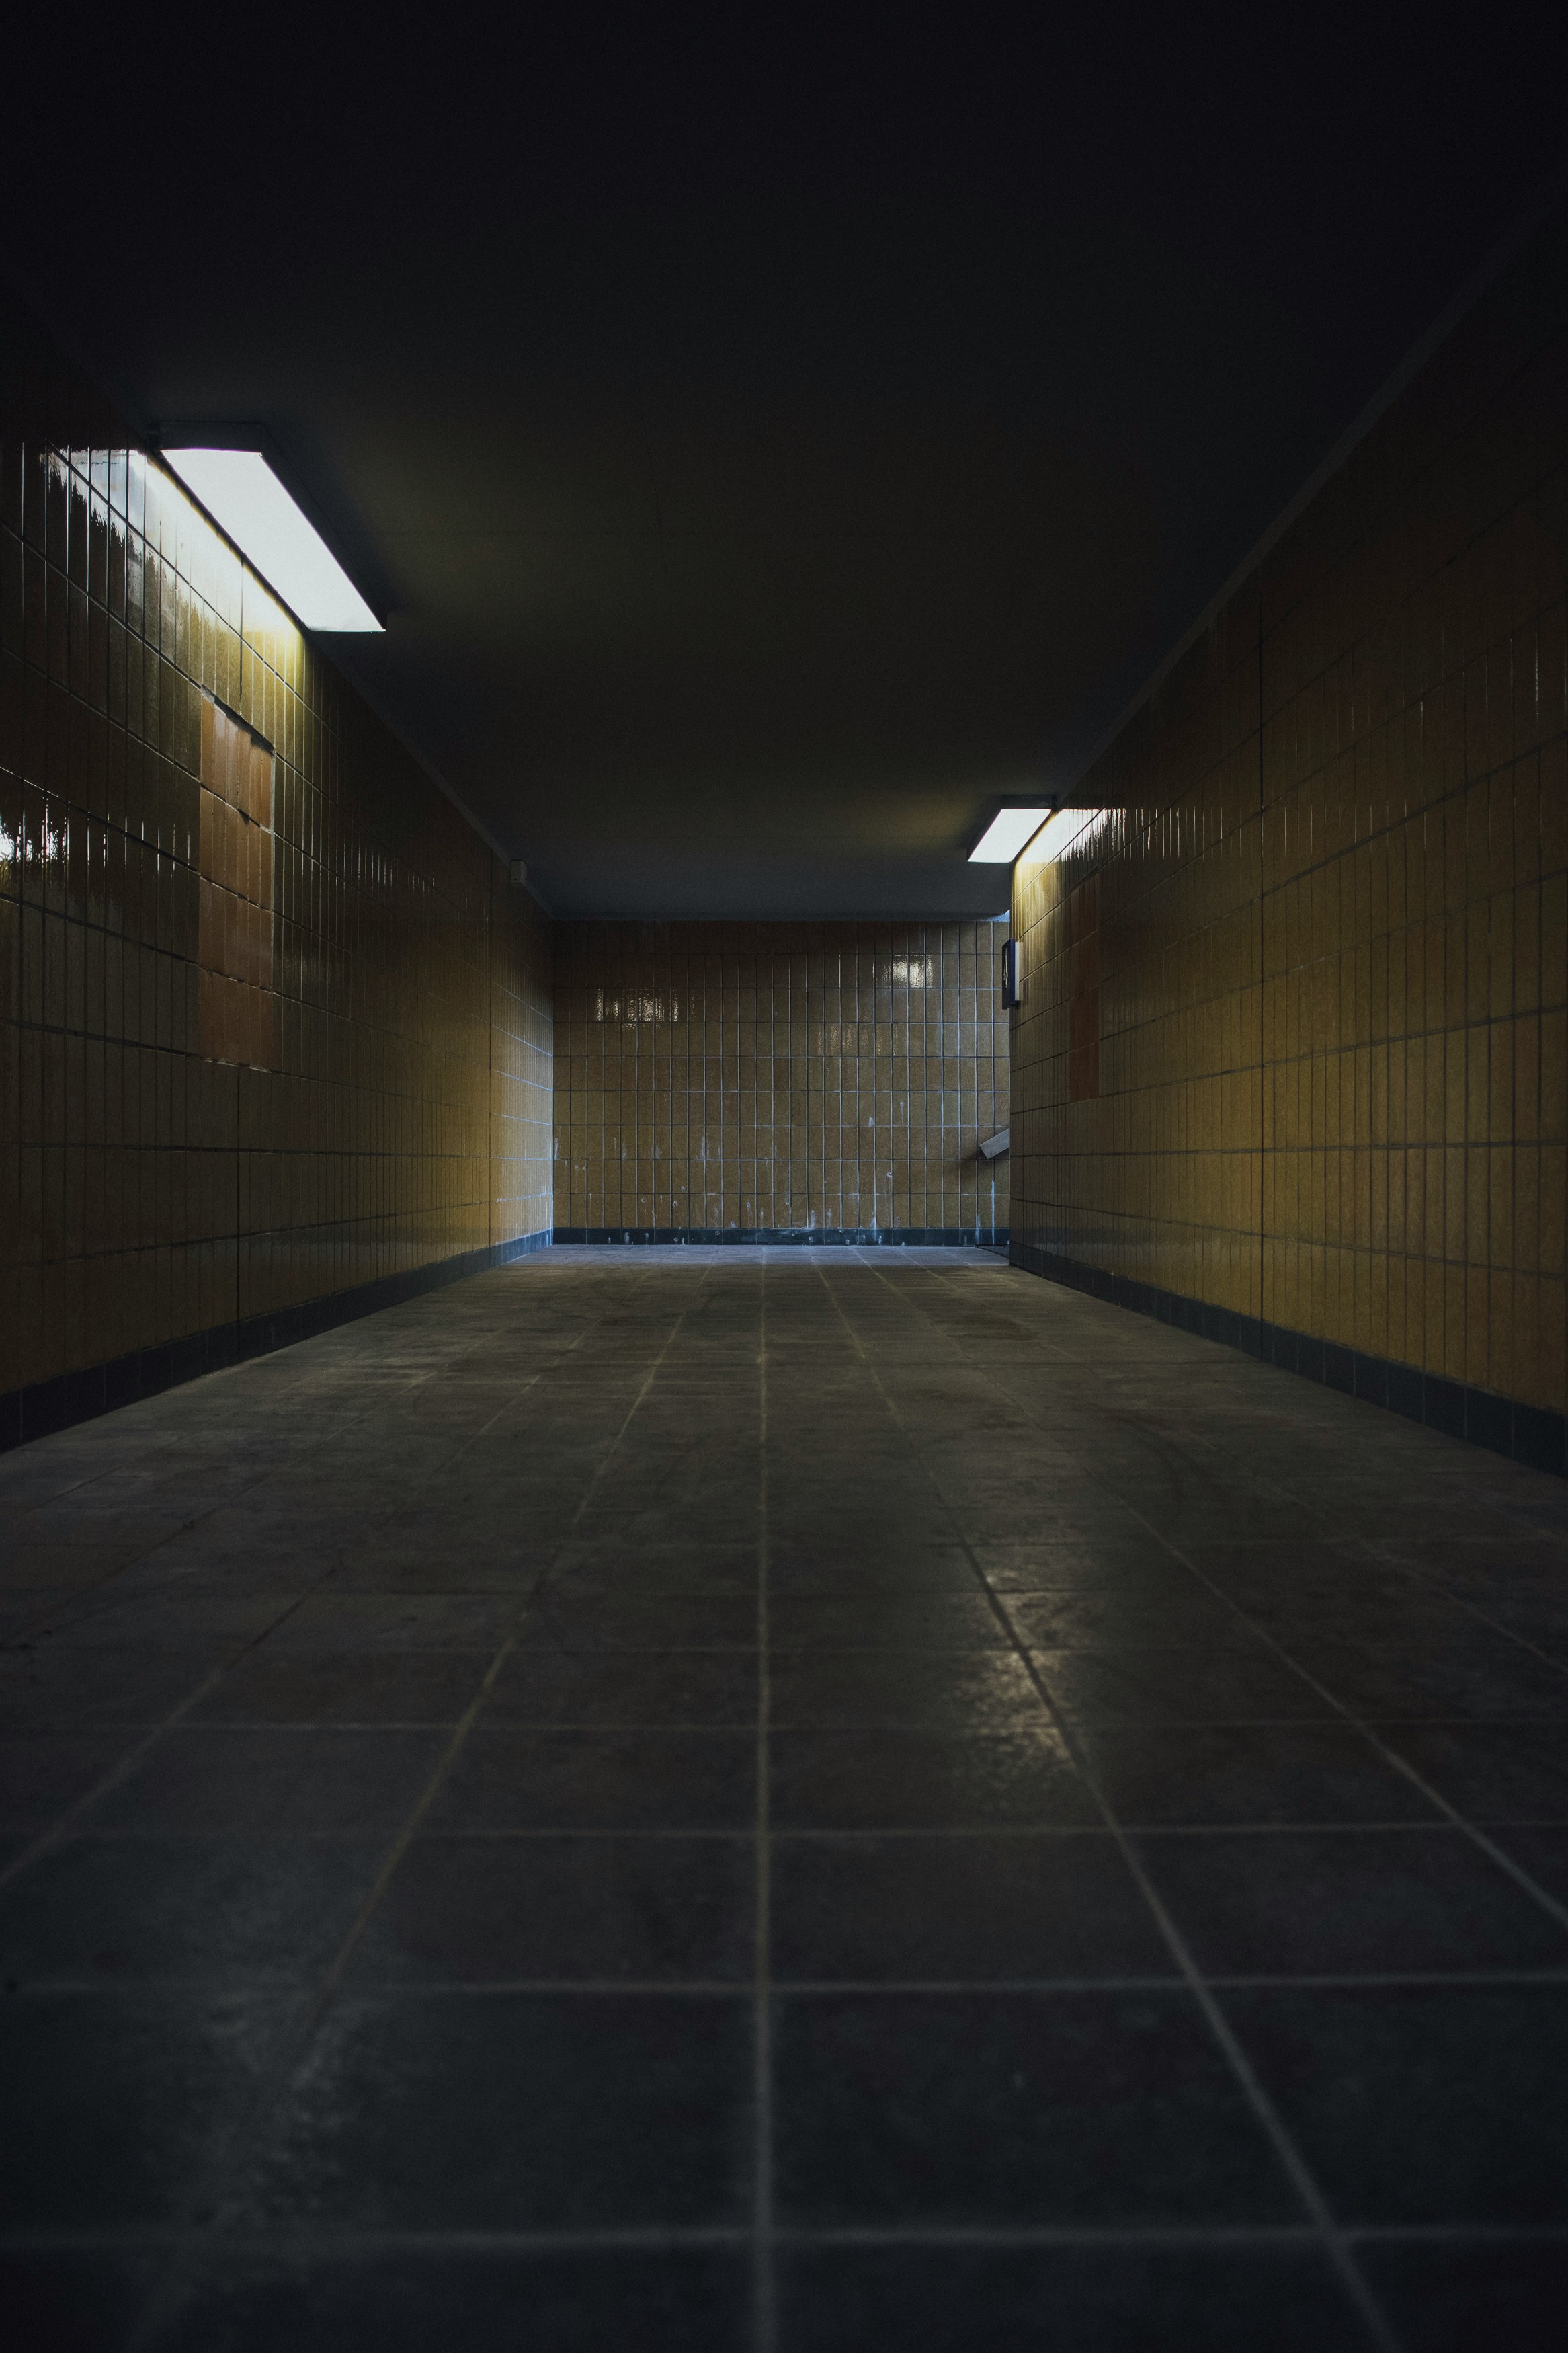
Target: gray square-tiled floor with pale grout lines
(779, 1801)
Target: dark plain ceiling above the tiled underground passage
(768, 460)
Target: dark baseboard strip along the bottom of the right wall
(1522, 1432)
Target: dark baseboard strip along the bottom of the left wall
(83, 1397)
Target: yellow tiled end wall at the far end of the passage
(779, 1079)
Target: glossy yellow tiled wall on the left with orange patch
(274, 1020)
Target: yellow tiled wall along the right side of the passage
(1294, 1008)
